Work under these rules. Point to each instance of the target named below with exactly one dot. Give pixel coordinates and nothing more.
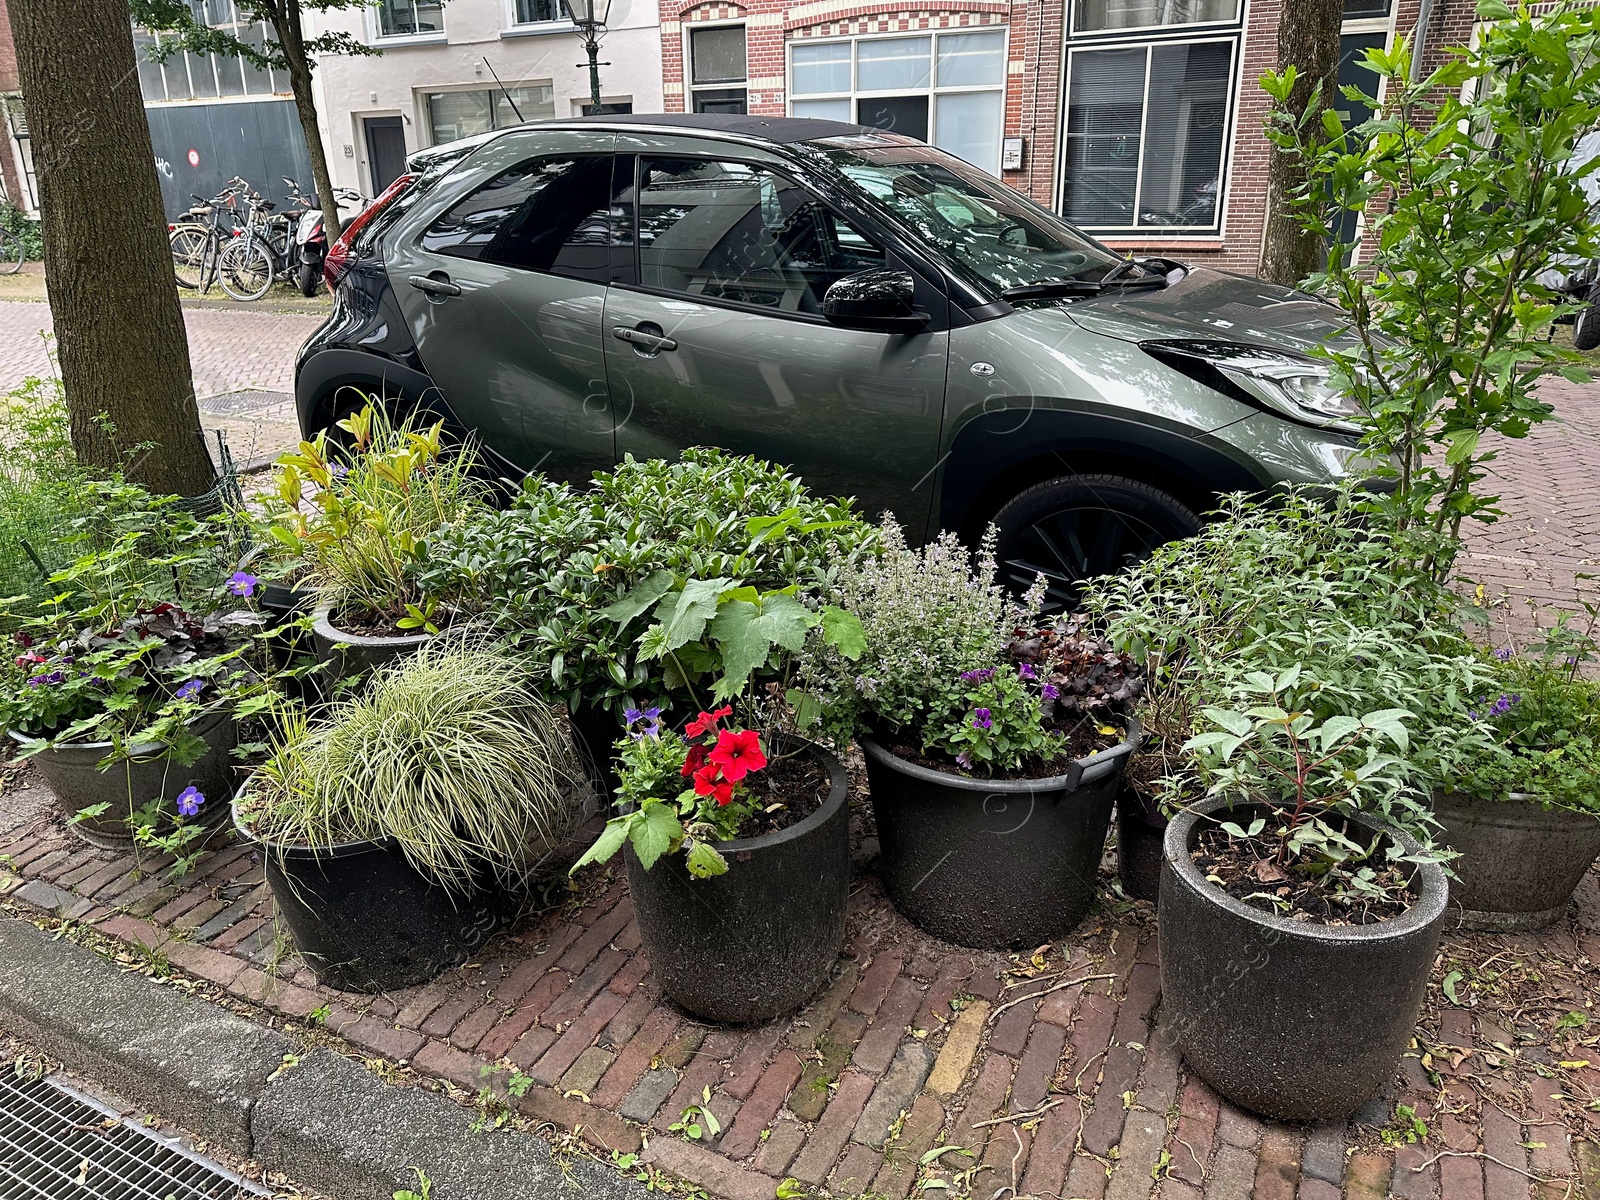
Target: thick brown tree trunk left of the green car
(108, 268)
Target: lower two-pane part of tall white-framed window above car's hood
(1148, 135)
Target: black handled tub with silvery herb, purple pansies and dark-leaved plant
(993, 745)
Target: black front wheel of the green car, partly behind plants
(1071, 530)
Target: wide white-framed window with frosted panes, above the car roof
(946, 90)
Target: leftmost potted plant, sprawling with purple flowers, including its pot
(126, 689)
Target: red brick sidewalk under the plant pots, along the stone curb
(1050, 1089)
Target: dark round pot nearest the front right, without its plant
(1290, 1020)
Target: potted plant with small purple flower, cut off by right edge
(1526, 817)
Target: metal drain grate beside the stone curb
(60, 1145)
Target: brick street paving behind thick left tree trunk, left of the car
(244, 366)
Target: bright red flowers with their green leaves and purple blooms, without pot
(681, 793)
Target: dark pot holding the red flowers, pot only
(761, 940)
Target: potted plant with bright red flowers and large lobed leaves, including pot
(737, 830)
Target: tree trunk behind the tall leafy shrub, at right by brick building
(1310, 39)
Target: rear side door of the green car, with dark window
(505, 292)
